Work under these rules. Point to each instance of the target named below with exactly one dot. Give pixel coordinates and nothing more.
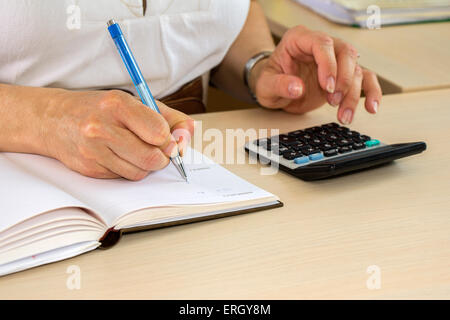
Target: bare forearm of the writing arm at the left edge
(21, 118)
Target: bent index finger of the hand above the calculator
(318, 45)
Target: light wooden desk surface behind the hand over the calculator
(406, 58)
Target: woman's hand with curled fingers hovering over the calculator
(310, 68)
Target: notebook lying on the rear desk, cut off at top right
(358, 12)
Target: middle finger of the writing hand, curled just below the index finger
(131, 148)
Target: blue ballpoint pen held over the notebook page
(139, 81)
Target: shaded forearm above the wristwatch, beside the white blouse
(254, 38)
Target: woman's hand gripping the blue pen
(109, 134)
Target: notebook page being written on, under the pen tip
(112, 198)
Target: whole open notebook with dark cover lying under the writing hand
(49, 213)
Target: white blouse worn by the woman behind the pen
(66, 44)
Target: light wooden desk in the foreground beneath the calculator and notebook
(319, 245)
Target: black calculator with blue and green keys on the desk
(328, 150)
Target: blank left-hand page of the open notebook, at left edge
(23, 195)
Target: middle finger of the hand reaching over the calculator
(347, 57)
